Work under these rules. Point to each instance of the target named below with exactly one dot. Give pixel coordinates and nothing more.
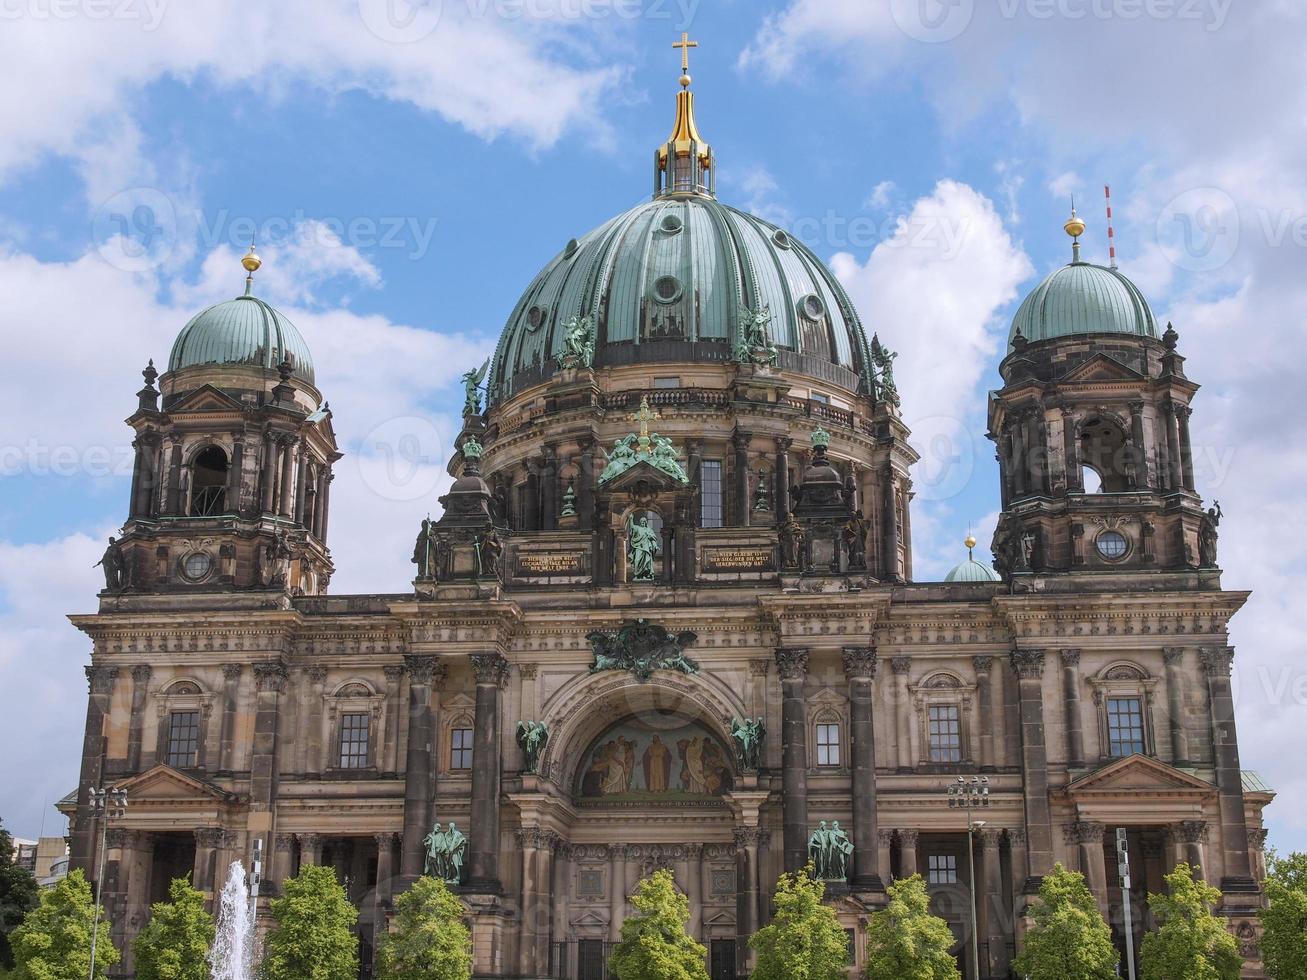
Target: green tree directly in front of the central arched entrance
(655, 945)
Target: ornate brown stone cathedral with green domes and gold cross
(667, 619)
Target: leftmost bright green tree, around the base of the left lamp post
(54, 940)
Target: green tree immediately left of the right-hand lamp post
(905, 941)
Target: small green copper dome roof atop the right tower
(1083, 300)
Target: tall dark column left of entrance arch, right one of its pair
(491, 671)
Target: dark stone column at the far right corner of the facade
(1225, 751)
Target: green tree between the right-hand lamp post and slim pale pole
(1070, 939)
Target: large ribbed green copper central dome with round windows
(667, 282)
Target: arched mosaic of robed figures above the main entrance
(663, 762)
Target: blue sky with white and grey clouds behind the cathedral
(407, 172)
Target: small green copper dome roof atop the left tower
(242, 331)
